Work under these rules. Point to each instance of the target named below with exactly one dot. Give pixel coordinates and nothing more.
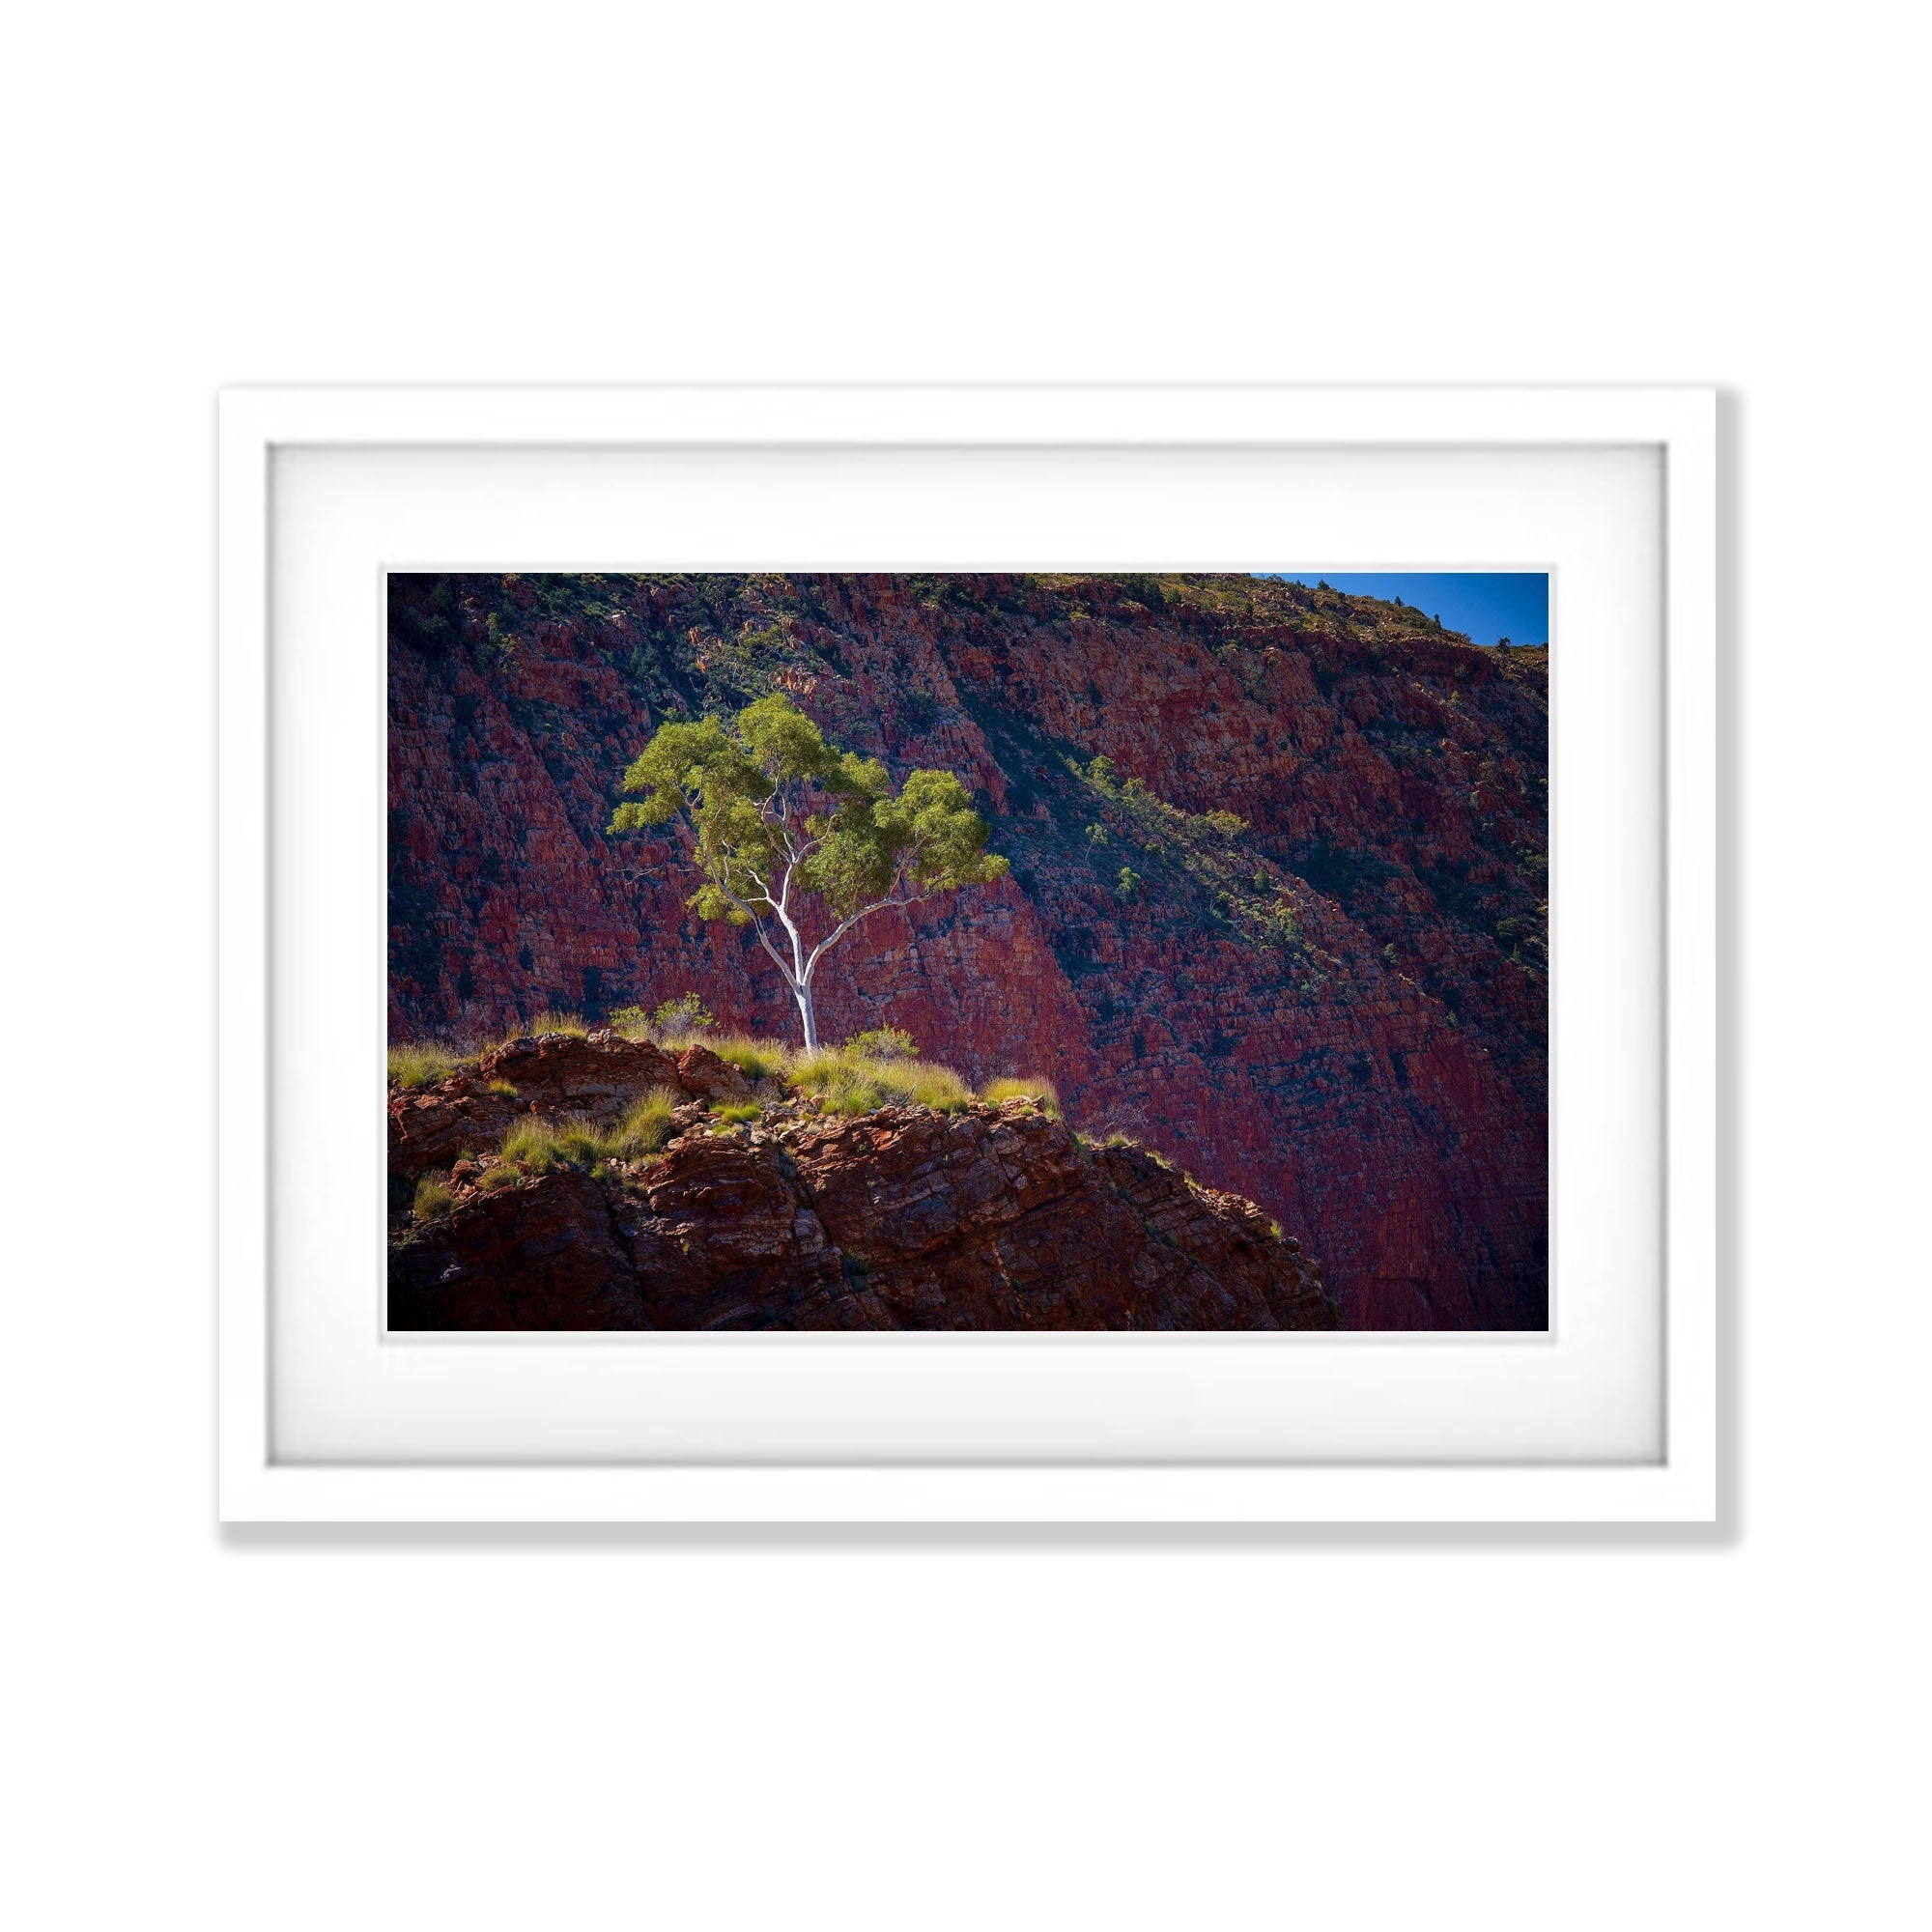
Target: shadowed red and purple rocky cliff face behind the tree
(1336, 1006)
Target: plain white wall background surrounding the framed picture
(596, 1730)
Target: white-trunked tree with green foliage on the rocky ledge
(795, 836)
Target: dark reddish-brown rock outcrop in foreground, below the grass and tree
(994, 1218)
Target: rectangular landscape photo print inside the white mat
(969, 953)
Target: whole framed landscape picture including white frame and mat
(969, 955)
